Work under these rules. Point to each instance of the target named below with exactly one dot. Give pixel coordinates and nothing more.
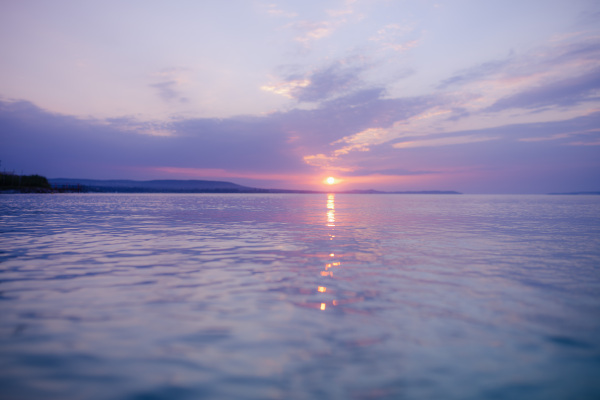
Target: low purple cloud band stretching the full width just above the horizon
(249, 149)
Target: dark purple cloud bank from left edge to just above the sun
(60, 145)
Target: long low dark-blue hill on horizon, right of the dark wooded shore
(154, 186)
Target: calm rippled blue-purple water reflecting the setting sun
(299, 297)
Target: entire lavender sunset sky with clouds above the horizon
(467, 95)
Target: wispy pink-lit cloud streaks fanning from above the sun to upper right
(423, 120)
